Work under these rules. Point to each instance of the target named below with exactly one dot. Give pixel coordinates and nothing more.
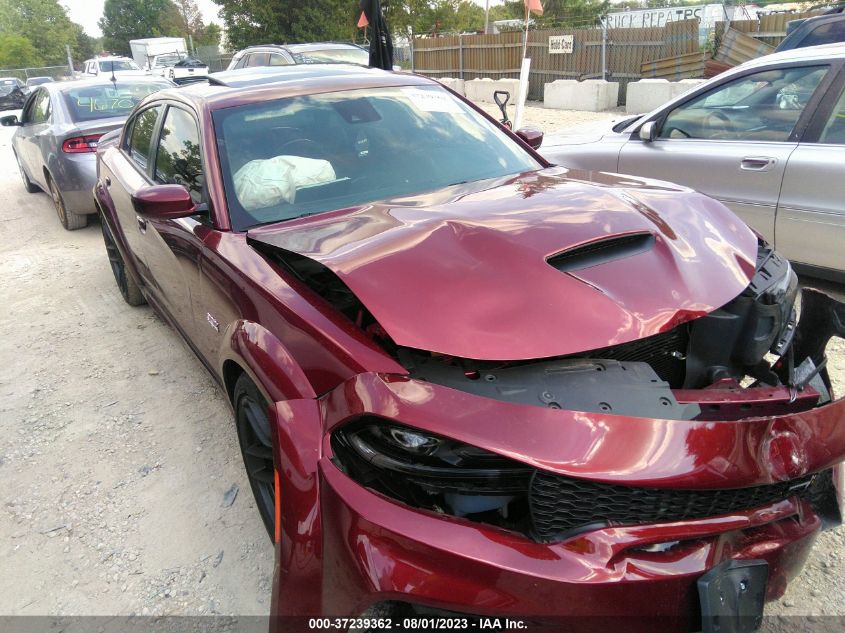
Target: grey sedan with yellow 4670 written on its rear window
(57, 136)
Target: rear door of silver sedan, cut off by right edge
(811, 211)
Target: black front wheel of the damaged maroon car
(256, 441)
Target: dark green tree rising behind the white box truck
(125, 20)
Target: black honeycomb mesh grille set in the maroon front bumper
(561, 505)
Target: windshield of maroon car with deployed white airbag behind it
(303, 155)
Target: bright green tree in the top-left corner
(44, 23)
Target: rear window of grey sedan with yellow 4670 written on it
(113, 99)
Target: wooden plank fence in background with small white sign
(498, 56)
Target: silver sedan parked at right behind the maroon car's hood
(766, 138)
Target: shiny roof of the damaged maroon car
(236, 87)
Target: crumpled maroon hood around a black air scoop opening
(463, 271)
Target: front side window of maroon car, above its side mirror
(178, 160)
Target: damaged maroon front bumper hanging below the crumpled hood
(769, 474)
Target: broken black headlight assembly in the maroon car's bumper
(433, 472)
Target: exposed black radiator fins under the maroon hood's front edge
(664, 352)
